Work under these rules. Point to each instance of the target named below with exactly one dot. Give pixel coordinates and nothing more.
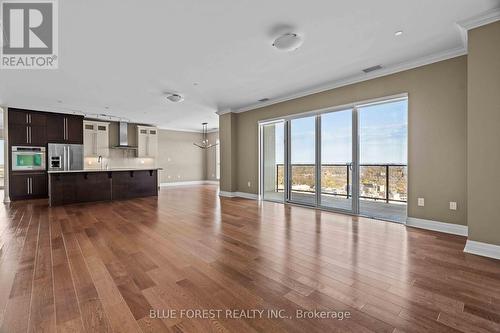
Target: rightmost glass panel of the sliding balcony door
(383, 160)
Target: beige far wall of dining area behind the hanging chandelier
(180, 159)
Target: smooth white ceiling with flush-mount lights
(120, 57)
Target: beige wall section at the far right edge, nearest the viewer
(484, 134)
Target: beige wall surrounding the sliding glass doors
(437, 134)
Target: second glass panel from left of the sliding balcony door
(302, 156)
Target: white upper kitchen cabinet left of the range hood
(95, 138)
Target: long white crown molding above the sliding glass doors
(400, 67)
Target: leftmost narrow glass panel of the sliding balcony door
(273, 161)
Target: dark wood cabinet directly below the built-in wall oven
(28, 185)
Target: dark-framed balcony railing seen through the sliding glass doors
(378, 182)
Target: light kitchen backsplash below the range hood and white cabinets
(120, 158)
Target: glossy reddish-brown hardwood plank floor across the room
(102, 267)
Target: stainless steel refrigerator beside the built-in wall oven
(65, 157)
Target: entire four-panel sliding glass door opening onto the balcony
(351, 160)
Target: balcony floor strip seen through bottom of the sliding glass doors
(376, 209)
